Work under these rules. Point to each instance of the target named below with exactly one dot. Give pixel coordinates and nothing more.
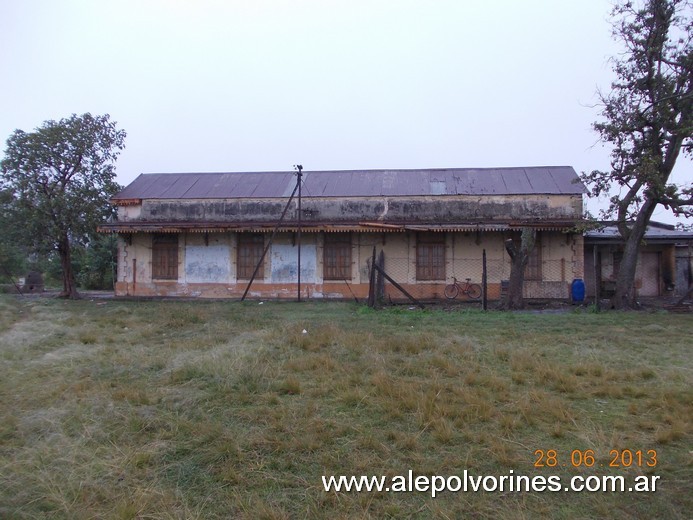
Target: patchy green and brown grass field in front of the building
(118, 409)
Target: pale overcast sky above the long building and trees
(261, 85)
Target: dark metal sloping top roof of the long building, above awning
(552, 180)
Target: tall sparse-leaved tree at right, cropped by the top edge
(648, 120)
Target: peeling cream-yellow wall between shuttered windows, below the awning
(198, 276)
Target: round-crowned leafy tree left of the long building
(62, 177)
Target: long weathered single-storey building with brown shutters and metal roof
(203, 234)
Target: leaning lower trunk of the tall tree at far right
(624, 295)
